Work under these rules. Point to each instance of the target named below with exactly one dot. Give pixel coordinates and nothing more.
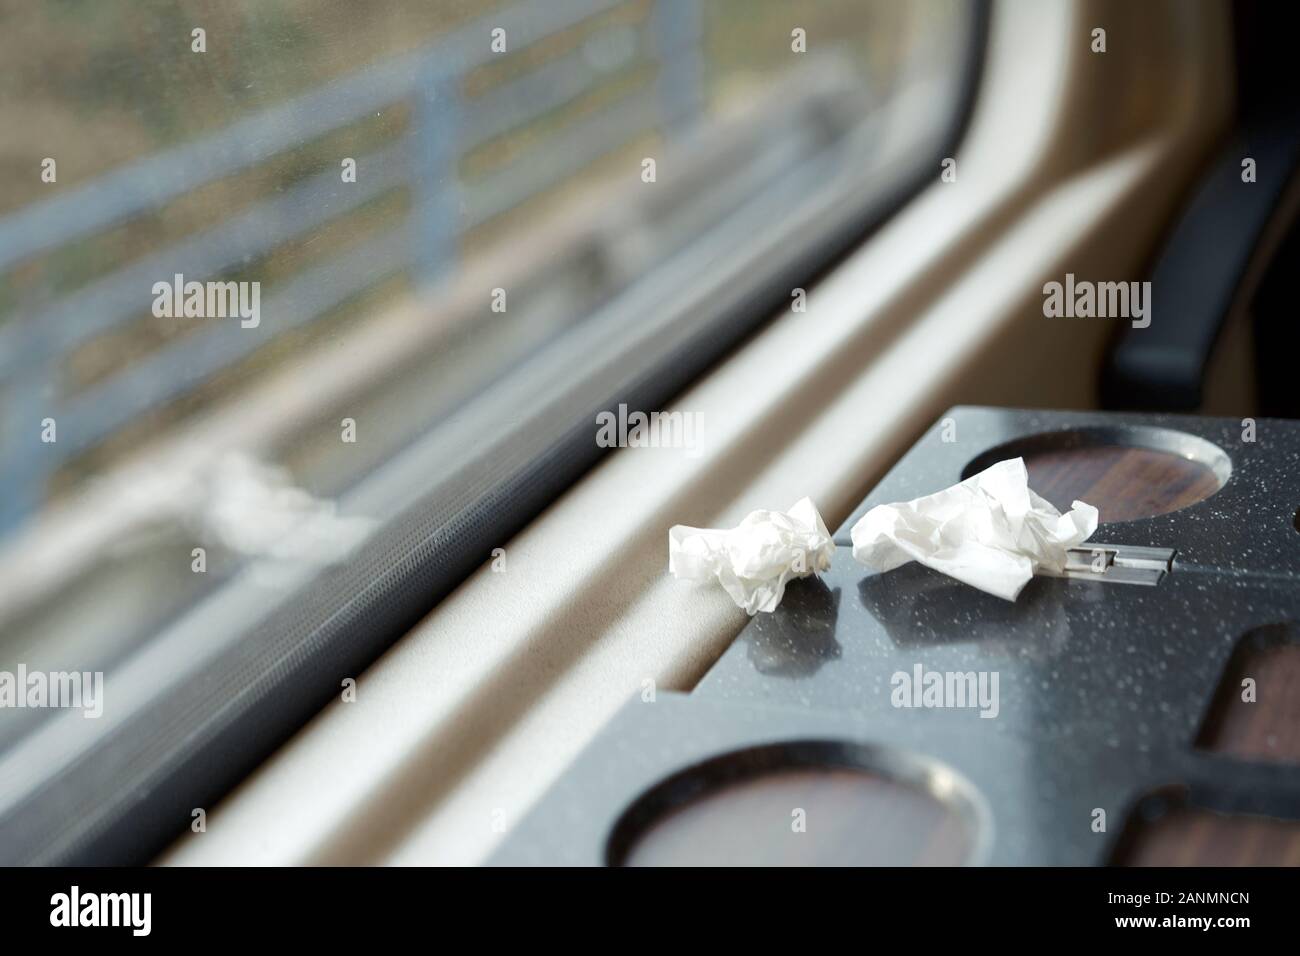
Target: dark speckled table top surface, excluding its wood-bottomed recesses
(1102, 689)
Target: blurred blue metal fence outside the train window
(444, 127)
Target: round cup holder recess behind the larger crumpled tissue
(1125, 471)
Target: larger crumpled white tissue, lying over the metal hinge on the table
(991, 531)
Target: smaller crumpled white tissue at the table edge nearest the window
(756, 560)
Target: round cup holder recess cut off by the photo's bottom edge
(803, 804)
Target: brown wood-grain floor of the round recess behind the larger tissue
(1121, 483)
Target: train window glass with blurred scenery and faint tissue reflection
(253, 250)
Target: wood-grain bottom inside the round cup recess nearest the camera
(852, 819)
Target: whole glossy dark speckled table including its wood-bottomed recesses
(1117, 732)
